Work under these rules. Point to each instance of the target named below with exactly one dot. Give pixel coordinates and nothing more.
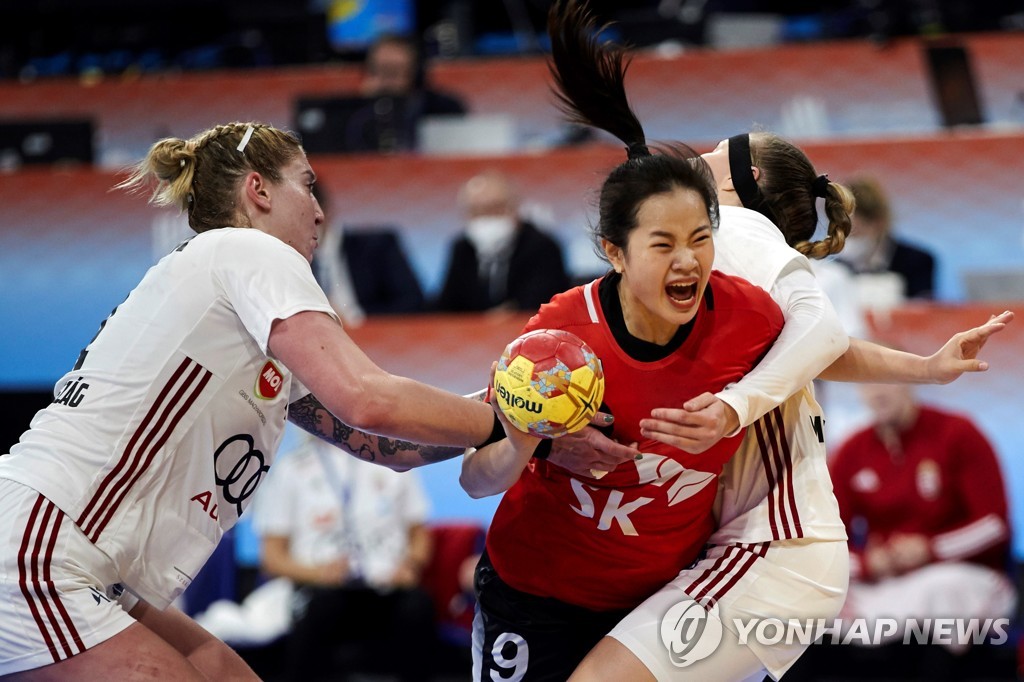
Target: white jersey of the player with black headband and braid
(777, 487)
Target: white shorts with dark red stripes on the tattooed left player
(59, 594)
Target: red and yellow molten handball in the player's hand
(549, 383)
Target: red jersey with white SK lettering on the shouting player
(610, 543)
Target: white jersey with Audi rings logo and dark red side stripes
(159, 437)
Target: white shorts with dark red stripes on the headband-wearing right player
(787, 580)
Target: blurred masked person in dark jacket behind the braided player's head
(872, 248)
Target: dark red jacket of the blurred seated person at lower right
(947, 485)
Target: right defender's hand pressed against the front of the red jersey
(702, 423)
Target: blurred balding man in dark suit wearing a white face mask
(501, 261)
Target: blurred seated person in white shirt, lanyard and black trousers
(352, 536)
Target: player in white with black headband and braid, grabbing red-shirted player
(779, 550)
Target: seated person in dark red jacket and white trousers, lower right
(924, 502)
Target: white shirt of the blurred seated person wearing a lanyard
(331, 506)
